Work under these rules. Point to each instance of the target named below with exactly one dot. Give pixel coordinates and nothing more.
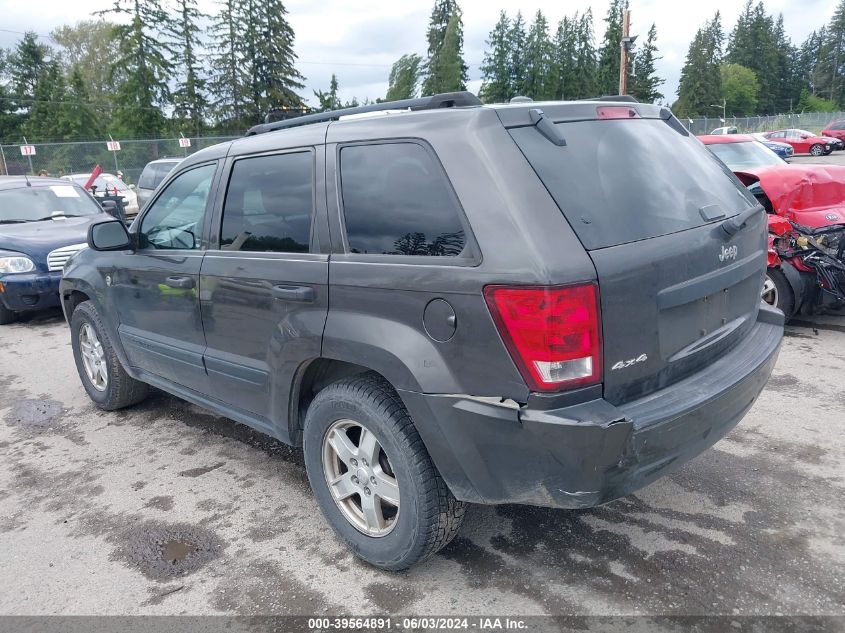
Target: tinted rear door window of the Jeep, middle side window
(269, 204)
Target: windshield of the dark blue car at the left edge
(29, 204)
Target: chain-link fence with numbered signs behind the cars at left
(59, 159)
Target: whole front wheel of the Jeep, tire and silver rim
(100, 370)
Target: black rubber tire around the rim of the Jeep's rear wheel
(429, 516)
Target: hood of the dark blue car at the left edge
(37, 239)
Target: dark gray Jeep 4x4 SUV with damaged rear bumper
(538, 303)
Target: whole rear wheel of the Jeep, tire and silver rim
(372, 476)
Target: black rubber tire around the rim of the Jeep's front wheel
(121, 389)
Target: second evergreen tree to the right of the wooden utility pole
(701, 83)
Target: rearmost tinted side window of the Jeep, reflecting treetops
(396, 201)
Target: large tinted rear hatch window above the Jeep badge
(625, 180)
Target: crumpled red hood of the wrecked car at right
(813, 195)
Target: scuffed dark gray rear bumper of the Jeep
(591, 453)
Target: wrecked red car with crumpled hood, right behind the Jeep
(811, 196)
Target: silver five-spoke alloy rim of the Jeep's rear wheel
(360, 478)
